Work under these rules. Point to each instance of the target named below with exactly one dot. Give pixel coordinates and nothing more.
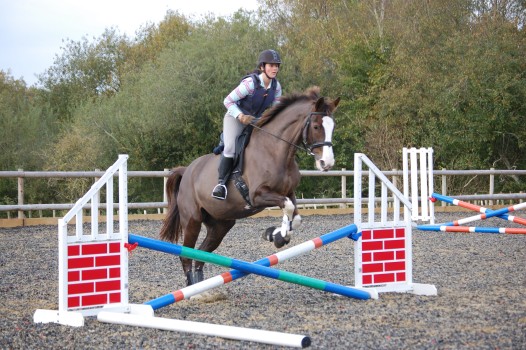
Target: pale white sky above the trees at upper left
(32, 31)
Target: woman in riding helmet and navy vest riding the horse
(247, 102)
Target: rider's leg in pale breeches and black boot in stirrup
(231, 129)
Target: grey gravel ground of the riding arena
(481, 304)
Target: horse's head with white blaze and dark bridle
(317, 133)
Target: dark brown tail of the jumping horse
(171, 230)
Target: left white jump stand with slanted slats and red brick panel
(93, 269)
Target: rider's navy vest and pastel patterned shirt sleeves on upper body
(251, 97)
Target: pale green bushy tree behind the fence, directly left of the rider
(170, 111)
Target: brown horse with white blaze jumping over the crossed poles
(299, 121)
